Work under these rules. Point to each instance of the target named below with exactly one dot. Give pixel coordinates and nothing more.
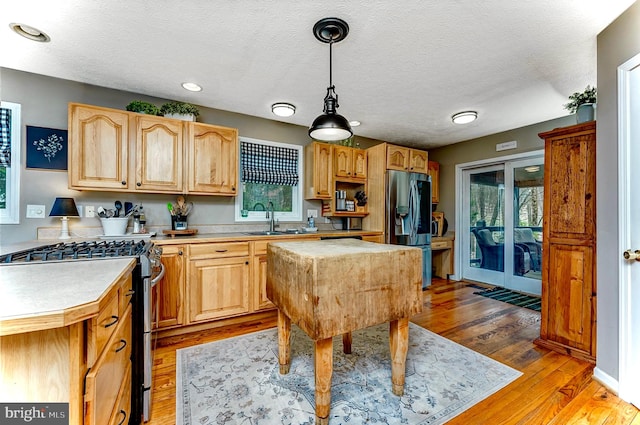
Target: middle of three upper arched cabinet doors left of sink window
(158, 154)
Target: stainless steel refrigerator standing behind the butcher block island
(408, 214)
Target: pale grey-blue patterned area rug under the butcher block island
(237, 380)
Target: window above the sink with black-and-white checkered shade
(269, 172)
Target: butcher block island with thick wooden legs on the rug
(334, 287)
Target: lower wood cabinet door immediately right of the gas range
(169, 291)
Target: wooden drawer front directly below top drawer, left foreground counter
(106, 377)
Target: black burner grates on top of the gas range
(78, 250)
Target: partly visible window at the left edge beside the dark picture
(9, 163)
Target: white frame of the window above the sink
(297, 194)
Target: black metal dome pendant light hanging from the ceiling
(330, 126)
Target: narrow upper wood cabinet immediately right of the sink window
(318, 171)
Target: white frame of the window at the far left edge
(11, 214)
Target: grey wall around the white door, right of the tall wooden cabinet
(616, 44)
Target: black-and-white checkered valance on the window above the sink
(268, 164)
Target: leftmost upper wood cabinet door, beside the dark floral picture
(98, 148)
